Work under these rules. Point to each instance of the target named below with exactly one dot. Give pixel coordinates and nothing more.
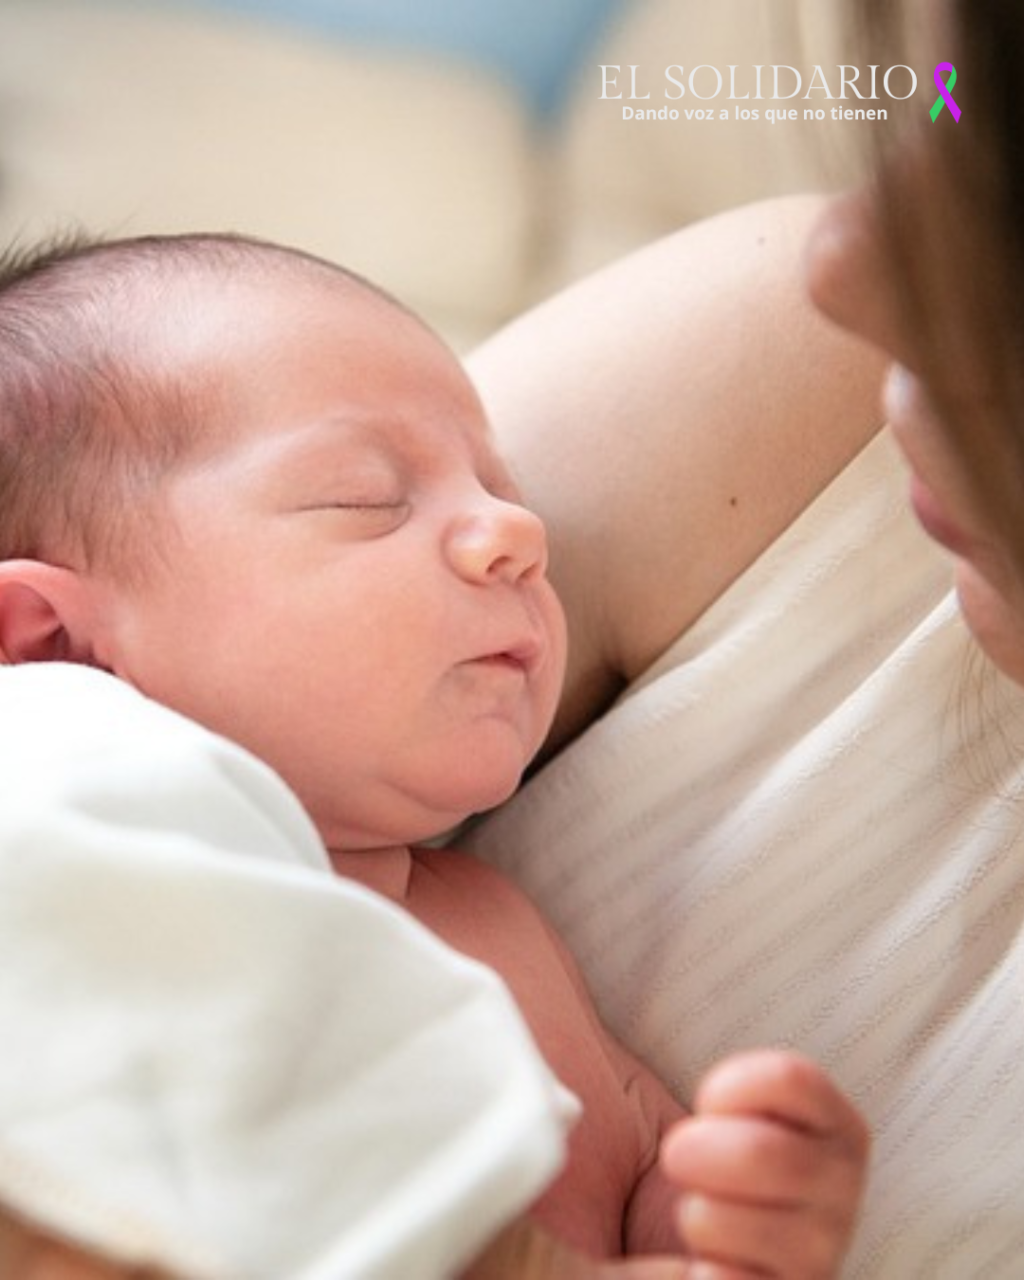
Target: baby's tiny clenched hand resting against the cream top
(771, 1171)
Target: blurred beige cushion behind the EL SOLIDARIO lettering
(621, 182)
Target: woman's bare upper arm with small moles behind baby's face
(669, 418)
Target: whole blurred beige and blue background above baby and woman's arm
(456, 152)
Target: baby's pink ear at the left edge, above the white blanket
(42, 614)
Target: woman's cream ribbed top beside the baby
(804, 828)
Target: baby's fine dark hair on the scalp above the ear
(90, 418)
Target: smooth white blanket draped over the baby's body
(214, 1055)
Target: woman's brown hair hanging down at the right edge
(950, 203)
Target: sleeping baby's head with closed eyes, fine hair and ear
(264, 493)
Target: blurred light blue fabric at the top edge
(534, 45)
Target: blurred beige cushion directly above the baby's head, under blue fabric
(127, 120)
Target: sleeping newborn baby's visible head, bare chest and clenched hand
(264, 493)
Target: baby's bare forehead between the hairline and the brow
(291, 339)
